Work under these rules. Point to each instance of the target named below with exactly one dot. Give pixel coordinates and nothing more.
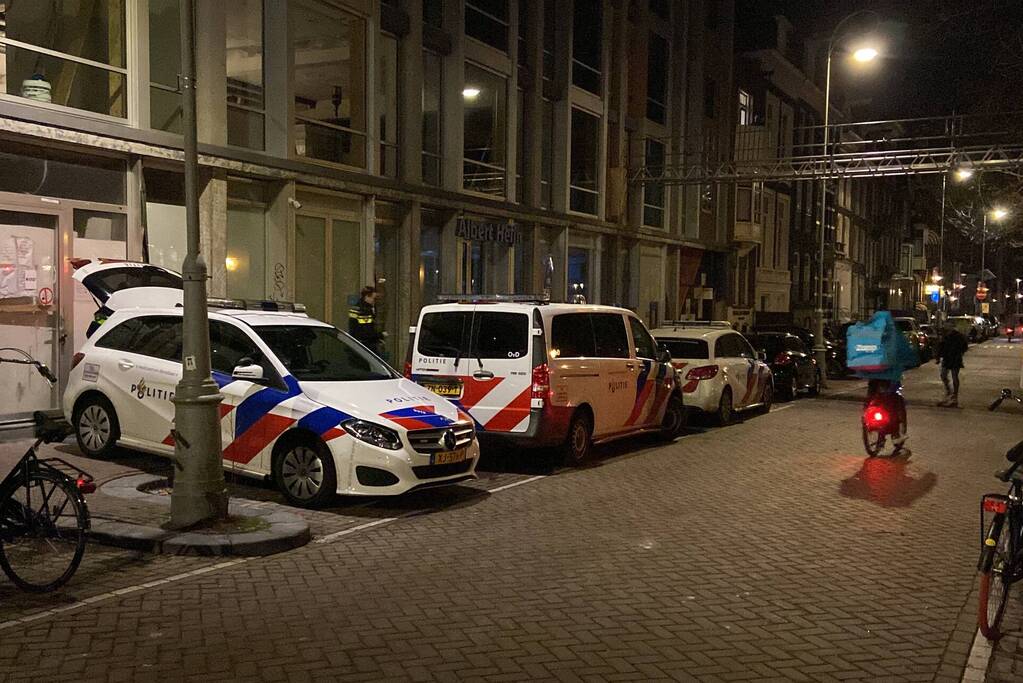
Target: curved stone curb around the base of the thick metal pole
(287, 531)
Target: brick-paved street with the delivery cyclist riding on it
(768, 550)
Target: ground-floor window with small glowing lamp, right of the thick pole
(246, 262)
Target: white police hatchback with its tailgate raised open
(304, 403)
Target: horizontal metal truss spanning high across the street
(875, 149)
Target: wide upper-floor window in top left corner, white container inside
(85, 64)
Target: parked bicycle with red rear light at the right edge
(1001, 563)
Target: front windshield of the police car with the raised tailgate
(324, 354)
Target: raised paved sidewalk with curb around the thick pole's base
(126, 518)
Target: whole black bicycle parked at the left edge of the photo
(45, 519)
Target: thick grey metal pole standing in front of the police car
(199, 483)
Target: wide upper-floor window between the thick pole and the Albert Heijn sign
(329, 50)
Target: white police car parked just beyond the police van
(720, 371)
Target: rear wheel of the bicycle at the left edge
(47, 522)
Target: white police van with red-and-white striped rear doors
(547, 375)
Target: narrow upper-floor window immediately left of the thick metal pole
(165, 65)
